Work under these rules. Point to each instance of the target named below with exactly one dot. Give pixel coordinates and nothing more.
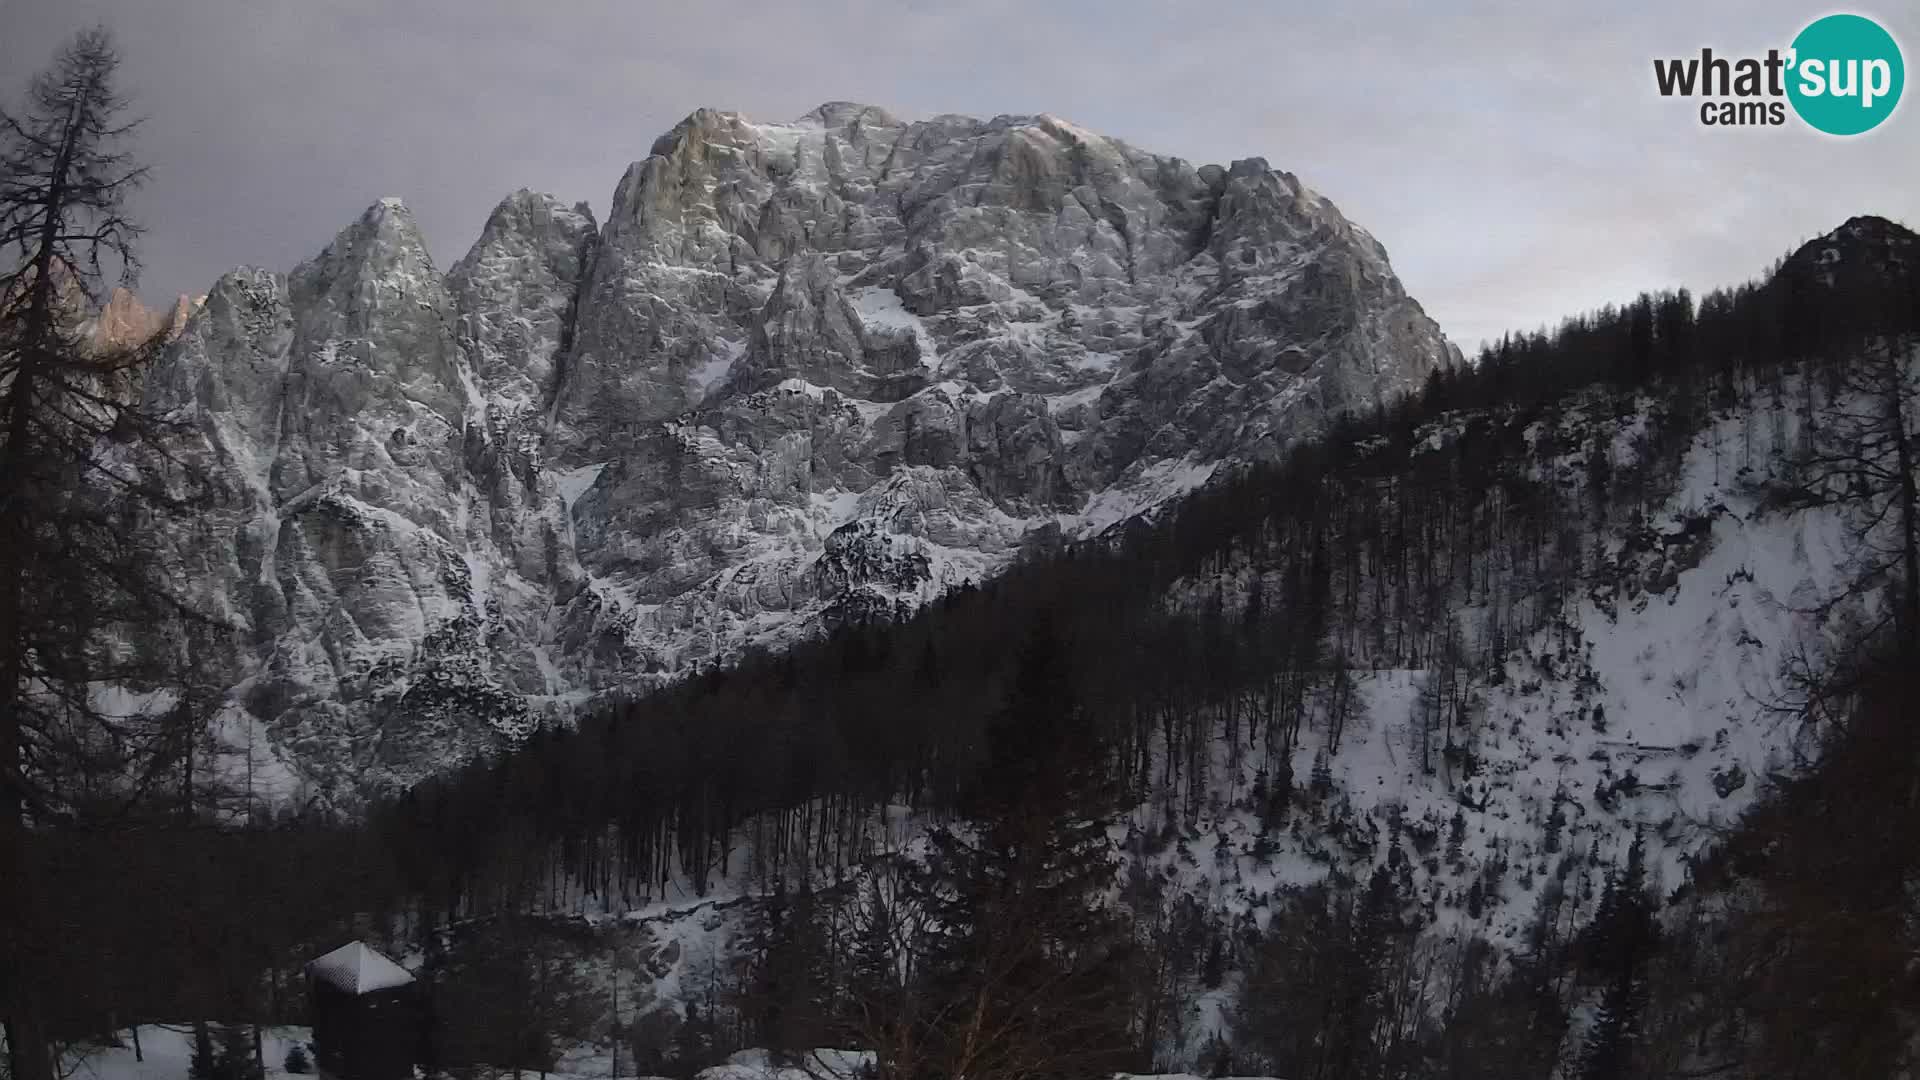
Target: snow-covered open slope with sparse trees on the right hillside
(1658, 708)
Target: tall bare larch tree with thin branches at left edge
(82, 483)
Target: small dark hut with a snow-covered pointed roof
(368, 1016)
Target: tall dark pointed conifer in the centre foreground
(1026, 968)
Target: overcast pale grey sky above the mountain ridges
(1516, 159)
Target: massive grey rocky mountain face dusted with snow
(804, 374)
